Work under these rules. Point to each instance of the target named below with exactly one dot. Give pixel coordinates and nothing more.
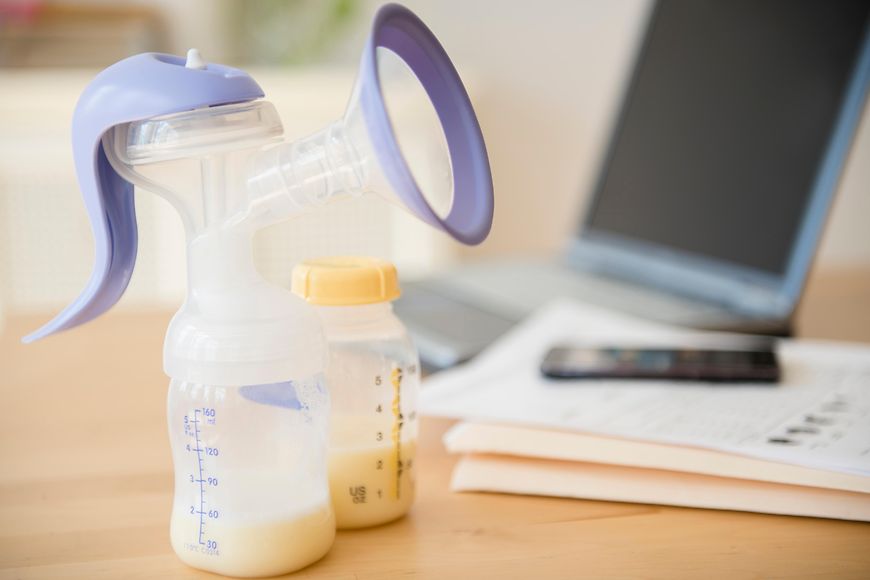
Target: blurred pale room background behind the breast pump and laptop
(545, 79)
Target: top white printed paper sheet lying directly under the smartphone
(826, 388)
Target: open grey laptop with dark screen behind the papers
(714, 190)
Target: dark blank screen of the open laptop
(725, 125)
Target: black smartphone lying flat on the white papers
(733, 366)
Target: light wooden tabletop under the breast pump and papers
(86, 485)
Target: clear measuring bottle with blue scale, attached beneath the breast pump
(250, 485)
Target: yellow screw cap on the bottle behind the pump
(345, 281)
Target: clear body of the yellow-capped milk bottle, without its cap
(373, 376)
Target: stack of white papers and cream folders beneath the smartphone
(801, 447)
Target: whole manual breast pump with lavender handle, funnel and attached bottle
(247, 405)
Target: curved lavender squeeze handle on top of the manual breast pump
(140, 87)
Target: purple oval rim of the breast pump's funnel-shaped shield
(398, 29)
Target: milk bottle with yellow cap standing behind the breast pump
(373, 379)
